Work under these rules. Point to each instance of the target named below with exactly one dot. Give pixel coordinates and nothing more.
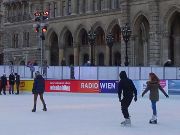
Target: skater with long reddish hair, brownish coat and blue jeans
(153, 85)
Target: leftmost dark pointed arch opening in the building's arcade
(54, 50)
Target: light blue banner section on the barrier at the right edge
(174, 86)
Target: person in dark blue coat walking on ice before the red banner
(38, 89)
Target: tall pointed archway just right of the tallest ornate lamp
(141, 33)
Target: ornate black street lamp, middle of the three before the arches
(110, 42)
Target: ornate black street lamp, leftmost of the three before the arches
(91, 39)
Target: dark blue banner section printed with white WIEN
(108, 86)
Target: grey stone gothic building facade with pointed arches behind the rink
(155, 26)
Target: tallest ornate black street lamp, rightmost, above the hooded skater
(126, 32)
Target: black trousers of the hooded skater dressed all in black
(125, 102)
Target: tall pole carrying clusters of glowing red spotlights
(41, 27)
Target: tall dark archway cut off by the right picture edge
(174, 45)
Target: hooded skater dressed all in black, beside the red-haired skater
(126, 86)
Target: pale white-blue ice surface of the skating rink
(85, 114)
